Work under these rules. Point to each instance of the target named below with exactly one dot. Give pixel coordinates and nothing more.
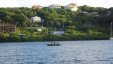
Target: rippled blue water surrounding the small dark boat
(70, 52)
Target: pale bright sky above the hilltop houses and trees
(30, 3)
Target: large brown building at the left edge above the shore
(7, 27)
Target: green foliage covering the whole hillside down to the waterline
(77, 25)
